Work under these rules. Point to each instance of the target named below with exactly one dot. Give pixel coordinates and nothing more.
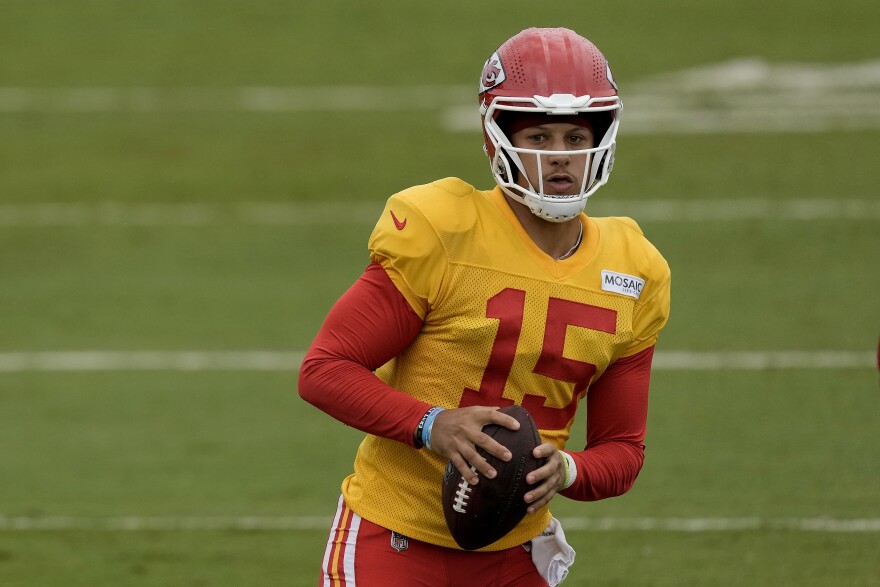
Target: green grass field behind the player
(145, 208)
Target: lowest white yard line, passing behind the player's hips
(318, 523)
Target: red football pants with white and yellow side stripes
(362, 554)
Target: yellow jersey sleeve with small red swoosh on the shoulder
(407, 246)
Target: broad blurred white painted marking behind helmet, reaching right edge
(741, 96)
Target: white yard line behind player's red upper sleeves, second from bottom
(72, 361)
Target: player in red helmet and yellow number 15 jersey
(476, 299)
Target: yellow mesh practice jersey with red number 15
(504, 323)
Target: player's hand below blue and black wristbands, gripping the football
(458, 432)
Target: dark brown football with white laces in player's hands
(478, 515)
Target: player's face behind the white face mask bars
(560, 173)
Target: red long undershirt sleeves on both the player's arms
(373, 322)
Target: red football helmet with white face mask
(556, 72)
